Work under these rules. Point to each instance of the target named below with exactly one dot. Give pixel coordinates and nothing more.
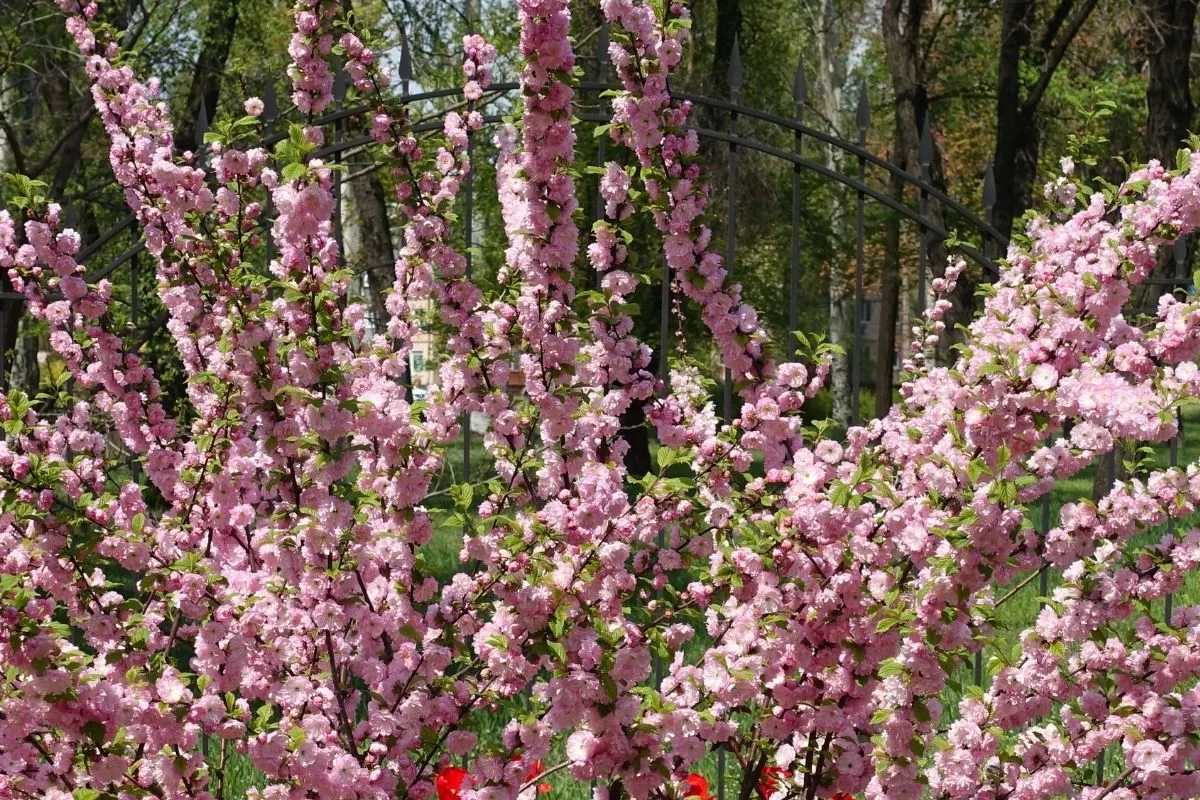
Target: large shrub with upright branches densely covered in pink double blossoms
(262, 588)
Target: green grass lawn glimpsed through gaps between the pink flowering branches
(1016, 616)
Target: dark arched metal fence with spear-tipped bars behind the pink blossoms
(117, 250)
